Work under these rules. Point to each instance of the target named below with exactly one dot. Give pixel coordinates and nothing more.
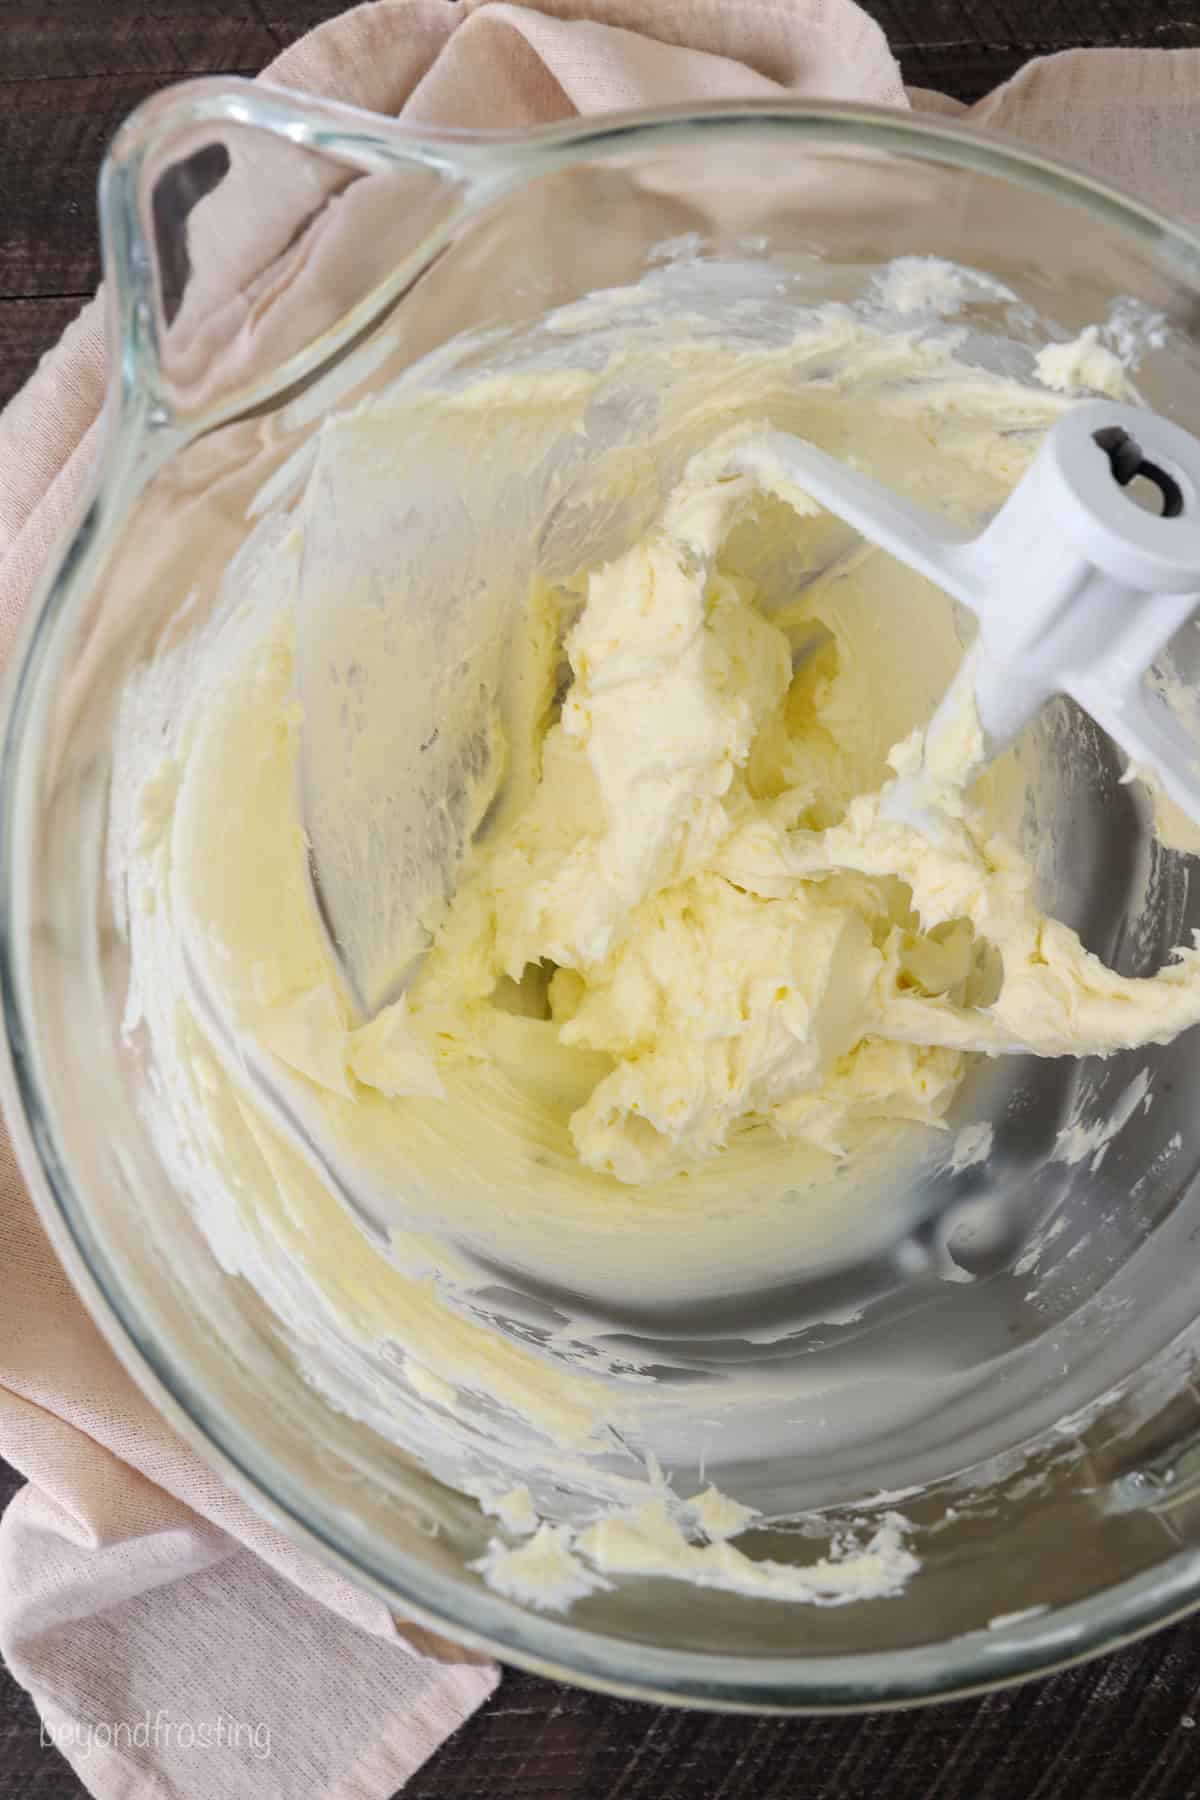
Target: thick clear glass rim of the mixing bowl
(139, 435)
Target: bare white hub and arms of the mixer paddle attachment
(1077, 586)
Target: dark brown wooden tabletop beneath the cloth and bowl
(1124, 1729)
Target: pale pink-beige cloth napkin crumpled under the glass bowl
(174, 1642)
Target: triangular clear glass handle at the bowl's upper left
(251, 235)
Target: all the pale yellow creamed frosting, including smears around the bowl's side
(692, 969)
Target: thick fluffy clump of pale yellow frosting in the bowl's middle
(706, 930)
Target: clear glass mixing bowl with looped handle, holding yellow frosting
(271, 258)
